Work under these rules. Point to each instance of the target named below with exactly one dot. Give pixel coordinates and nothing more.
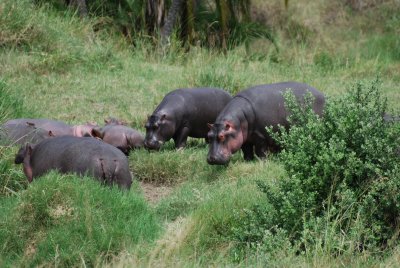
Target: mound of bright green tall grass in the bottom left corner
(69, 221)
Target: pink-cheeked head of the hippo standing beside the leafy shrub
(224, 140)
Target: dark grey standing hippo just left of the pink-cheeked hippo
(184, 113)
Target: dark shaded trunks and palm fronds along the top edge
(222, 24)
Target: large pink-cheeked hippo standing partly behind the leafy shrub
(242, 123)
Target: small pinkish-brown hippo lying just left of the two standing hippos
(120, 136)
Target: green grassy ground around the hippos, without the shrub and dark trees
(55, 66)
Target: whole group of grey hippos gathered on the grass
(227, 123)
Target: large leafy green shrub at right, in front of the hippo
(342, 190)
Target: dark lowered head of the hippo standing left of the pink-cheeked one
(159, 129)
